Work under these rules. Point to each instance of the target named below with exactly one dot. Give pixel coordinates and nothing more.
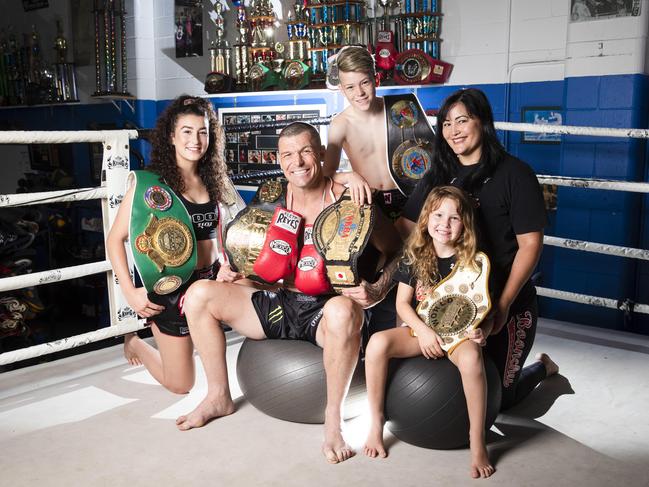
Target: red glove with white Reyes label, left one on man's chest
(278, 255)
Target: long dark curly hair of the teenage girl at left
(211, 167)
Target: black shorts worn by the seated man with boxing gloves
(289, 315)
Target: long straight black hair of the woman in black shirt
(446, 161)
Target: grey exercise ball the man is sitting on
(285, 379)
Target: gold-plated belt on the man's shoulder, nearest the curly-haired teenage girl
(246, 233)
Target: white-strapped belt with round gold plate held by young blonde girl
(458, 303)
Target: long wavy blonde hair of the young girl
(419, 251)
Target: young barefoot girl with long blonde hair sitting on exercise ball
(444, 236)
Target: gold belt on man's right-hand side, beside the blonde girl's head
(340, 233)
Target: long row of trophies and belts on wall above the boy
(406, 44)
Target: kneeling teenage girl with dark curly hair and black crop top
(187, 154)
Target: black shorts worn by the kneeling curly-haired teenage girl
(172, 321)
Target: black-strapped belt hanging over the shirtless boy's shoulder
(409, 144)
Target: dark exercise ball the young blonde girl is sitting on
(425, 404)
